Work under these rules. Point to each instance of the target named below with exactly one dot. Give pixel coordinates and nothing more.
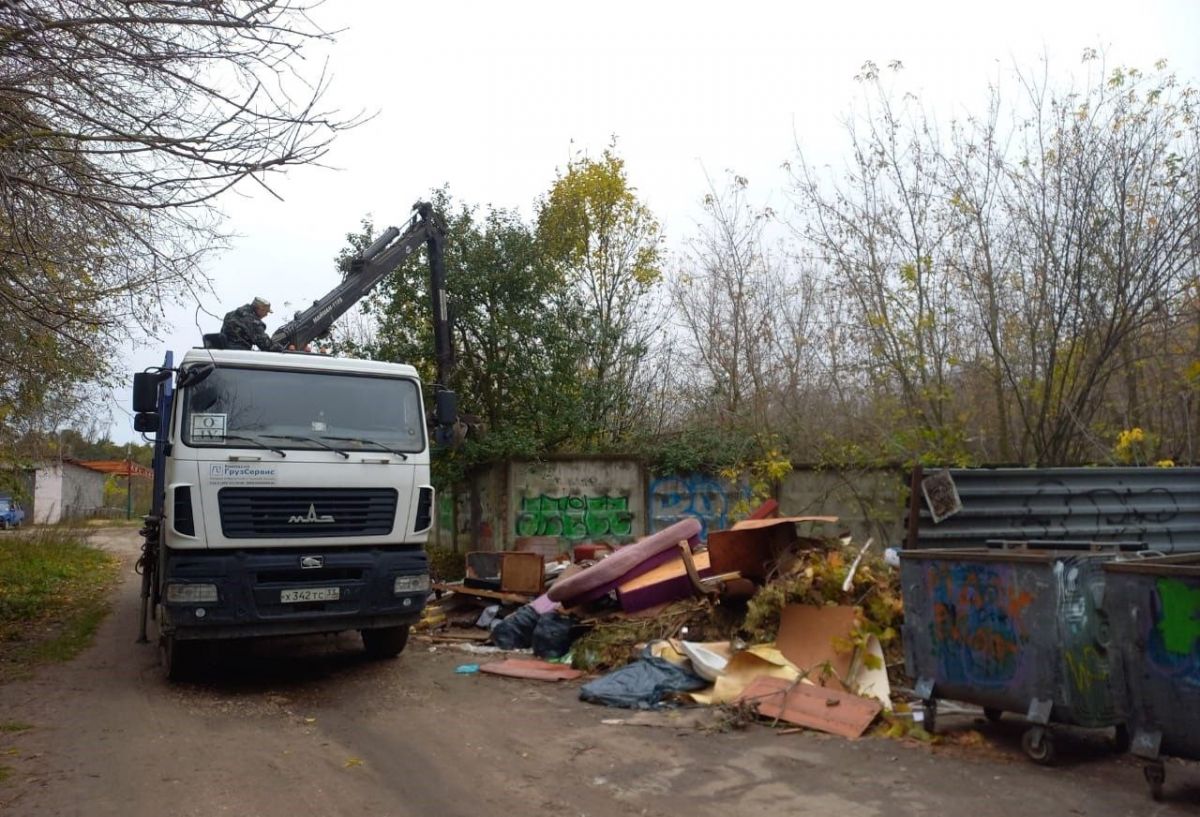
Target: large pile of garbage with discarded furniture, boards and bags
(794, 627)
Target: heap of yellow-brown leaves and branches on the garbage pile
(814, 574)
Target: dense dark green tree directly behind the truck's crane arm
(517, 369)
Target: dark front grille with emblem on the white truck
(307, 513)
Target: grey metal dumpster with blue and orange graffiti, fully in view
(1012, 630)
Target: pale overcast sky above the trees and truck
(490, 98)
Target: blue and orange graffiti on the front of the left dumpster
(980, 633)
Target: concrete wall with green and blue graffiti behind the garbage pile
(585, 500)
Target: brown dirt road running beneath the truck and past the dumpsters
(309, 726)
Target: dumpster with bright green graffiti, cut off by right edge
(1155, 615)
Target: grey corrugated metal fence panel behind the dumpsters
(1156, 507)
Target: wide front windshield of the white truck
(292, 410)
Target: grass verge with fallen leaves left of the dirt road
(53, 596)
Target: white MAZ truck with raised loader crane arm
(292, 491)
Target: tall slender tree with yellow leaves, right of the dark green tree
(608, 247)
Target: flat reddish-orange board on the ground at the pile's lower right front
(813, 707)
